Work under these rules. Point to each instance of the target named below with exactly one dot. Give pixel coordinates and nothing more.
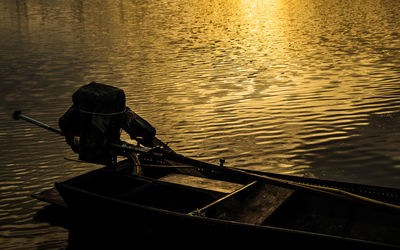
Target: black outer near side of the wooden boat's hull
(110, 220)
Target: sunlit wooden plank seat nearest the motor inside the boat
(202, 183)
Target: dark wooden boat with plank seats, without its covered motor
(185, 201)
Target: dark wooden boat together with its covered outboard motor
(178, 199)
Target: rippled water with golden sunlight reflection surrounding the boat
(297, 87)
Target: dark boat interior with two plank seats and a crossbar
(253, 203)
